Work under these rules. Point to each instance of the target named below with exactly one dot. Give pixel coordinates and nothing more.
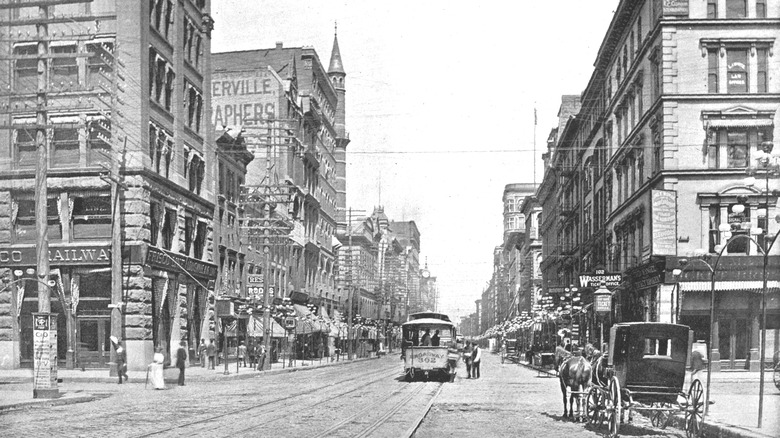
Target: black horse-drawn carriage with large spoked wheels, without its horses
(645, 371)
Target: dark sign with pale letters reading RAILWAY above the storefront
(58, 255)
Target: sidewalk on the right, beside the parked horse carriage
(734, 412)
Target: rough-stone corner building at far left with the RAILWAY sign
(127, 83)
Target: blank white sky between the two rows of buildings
(425, 79)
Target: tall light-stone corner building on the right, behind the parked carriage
(682, 102)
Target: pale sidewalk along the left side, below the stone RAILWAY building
(83, 386)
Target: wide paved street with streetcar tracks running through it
(365, 398)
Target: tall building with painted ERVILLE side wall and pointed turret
(292, 112)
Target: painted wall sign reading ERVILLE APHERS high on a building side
(246, 98)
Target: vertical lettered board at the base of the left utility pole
(44, 355)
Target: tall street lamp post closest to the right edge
(770, 164)
